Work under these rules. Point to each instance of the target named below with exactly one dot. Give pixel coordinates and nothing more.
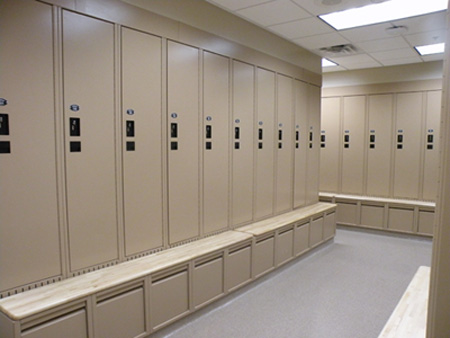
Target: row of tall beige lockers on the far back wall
(382, 145)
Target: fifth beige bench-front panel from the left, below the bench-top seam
(238, 267)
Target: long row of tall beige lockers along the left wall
(116, 142)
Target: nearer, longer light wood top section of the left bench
(37, 300)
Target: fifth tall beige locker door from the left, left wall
(215, 141)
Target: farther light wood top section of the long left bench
(274, 223)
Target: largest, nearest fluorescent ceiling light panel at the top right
(382, 12)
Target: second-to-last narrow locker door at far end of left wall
(301, 142)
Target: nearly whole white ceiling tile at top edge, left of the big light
(275, 12)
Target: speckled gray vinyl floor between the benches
(347, 288)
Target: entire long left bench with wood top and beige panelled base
(138, 297)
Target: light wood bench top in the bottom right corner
(409, 319)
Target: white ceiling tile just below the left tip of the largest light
(301, 28)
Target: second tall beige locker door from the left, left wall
(88, 55)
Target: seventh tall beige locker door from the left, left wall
(265, 143)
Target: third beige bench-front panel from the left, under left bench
(169, 296)
